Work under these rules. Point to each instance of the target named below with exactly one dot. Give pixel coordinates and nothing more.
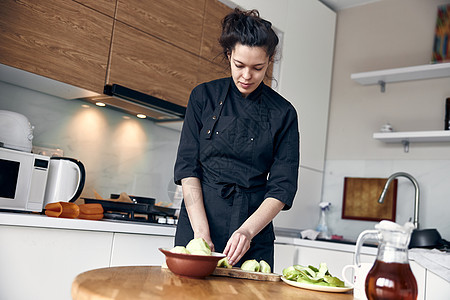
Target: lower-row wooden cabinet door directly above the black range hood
(142, 62)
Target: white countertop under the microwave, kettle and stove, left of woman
(42, 221)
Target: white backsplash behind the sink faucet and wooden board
(433, 177)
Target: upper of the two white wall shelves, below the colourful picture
(382, 77)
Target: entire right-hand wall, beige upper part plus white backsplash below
(383, 35)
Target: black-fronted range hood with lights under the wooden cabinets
(133, 102)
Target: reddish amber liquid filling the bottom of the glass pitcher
(391, 281)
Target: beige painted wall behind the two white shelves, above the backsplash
(383, 35)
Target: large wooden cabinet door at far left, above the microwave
(58, 39)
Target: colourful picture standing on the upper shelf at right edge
(441, 47)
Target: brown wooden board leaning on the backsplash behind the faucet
(361, 199)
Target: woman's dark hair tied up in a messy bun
(248, 29)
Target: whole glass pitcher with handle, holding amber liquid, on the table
(391, 276)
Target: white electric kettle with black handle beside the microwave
(66, 177)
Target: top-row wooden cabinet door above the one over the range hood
(176, 22)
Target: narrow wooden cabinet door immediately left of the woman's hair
(210, 49)
